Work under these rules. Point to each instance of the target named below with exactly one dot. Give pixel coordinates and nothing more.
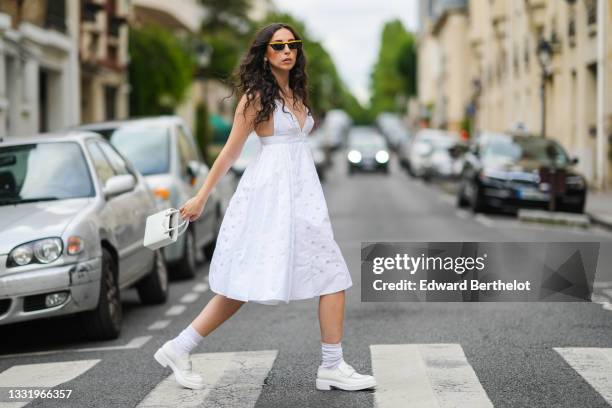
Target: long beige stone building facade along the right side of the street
(536, 65)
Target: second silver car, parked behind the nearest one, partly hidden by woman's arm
(164, 152)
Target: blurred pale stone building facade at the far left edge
(38, 66)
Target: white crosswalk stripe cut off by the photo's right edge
(593, 364)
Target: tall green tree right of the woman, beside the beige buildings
(394, 75)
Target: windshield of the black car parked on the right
(544, 151)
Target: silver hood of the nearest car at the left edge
(27, 222)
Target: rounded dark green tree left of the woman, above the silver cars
(160, 71)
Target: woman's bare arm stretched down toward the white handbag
(241, 128)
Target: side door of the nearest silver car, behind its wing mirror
(135, 206)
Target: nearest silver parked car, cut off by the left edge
(72, 217)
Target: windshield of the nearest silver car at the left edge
(27, 174)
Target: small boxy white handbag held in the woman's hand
(162, 228)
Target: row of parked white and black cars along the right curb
(498, 171)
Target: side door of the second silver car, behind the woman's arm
(204, 226)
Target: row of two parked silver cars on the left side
(73, 207)
